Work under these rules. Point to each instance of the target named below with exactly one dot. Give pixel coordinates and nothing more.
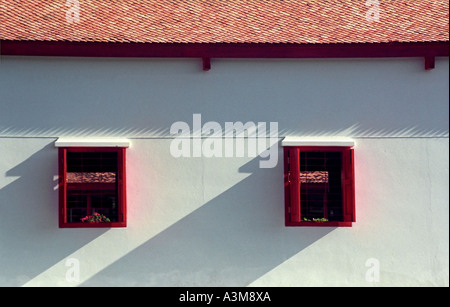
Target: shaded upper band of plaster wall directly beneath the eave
(55, 97)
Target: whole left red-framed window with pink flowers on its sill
(92, 186)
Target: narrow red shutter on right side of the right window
(348, 185)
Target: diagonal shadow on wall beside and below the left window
(30, 240)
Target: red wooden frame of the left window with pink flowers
(64, 186)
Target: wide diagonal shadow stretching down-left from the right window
(231, 240)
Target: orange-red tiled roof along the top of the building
(226, 21)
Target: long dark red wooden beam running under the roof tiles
(218, 50)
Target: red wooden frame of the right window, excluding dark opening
(293, 214)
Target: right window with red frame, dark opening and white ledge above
(319, 183)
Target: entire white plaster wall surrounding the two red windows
(220, 221)
